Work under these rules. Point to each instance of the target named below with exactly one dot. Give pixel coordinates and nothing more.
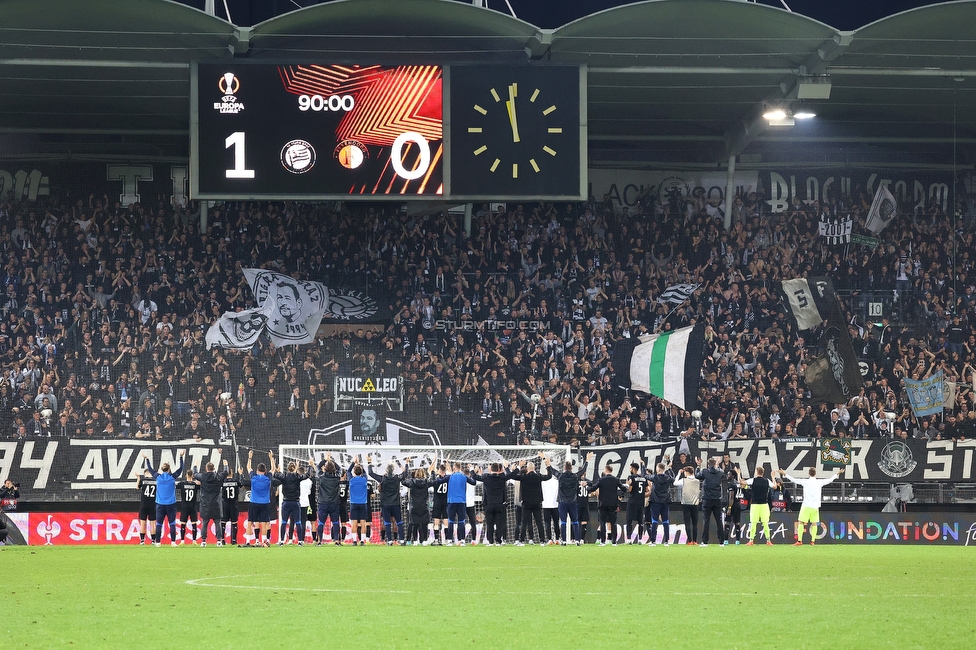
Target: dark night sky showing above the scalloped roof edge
(842, 14)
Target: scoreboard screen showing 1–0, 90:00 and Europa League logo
(316, 131)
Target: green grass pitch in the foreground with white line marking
(676, 597)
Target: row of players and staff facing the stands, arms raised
(441, 503)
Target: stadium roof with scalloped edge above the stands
(671, 83)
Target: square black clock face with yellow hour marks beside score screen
(515, 132)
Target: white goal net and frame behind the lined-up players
(423, 457)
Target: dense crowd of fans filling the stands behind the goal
(105, 307)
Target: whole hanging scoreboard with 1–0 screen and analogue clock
(340, 132)
